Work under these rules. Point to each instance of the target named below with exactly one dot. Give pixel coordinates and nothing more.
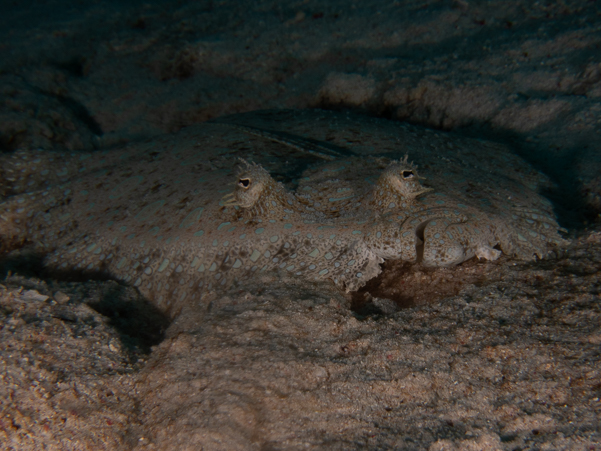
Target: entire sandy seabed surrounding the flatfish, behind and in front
(506, 359)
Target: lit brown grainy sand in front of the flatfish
(287, 365)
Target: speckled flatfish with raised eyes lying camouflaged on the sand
(154, 214)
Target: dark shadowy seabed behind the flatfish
(79, 76)
